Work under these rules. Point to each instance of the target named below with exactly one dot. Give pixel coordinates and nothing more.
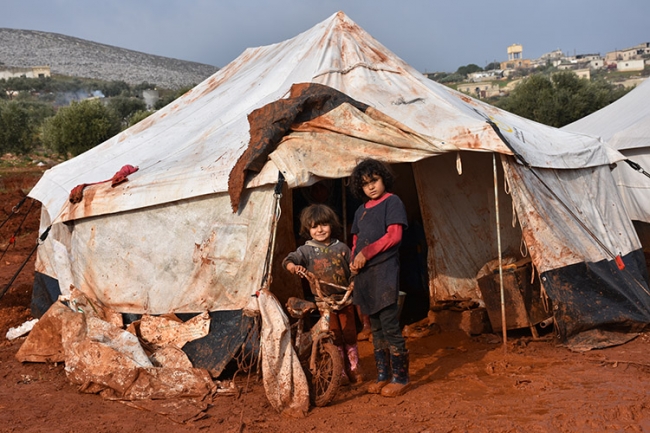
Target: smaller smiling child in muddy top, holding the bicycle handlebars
(329, 260)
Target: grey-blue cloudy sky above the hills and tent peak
(431, 35)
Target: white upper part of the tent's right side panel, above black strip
(554, 234)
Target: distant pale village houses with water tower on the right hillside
(632, 59)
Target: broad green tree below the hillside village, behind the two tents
(559, 99)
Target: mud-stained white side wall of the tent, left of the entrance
(187, 257)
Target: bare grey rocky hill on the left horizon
(66, 55)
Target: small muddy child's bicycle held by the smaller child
(319, 357)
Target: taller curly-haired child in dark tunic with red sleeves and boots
(377, 233)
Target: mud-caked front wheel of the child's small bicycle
(326, 378)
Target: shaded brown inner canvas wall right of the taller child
(456, 192)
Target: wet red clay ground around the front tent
(460, 384)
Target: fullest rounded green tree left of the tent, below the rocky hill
(79, 127)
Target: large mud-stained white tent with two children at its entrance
(167, 239)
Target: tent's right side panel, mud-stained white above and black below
(573, 237)
